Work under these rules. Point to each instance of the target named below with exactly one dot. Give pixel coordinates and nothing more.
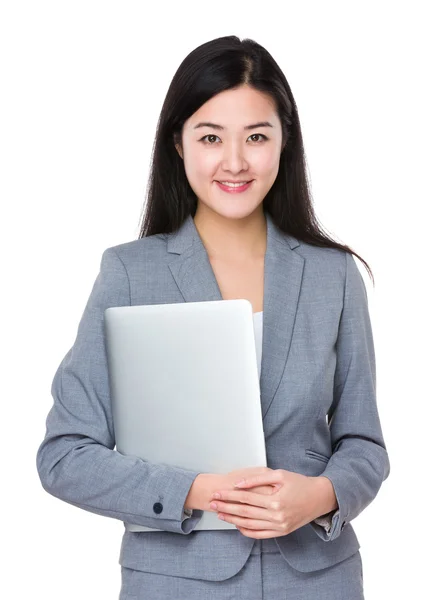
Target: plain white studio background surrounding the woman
(82, 88)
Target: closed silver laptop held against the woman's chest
(185, 388)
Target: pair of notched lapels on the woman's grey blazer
(196, 280)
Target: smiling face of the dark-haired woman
(241, 143)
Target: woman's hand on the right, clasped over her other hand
(295, 502)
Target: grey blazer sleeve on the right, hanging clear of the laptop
(359, 463)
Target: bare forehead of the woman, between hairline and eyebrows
(236, 108)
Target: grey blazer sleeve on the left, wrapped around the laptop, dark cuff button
(76, 460)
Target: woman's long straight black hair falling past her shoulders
(215, 66)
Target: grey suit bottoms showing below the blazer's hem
(266, 575)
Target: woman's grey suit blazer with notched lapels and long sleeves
(318, 397)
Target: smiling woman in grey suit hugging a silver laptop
(229, 215)
